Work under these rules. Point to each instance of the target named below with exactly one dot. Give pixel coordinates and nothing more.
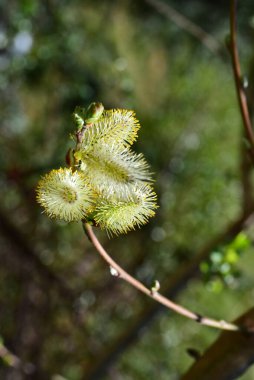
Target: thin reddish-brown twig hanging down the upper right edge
(239, 80)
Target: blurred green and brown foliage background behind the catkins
(59, 307)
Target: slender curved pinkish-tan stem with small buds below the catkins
(120, 272)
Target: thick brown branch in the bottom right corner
(228, 357)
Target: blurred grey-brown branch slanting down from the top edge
(184, 23)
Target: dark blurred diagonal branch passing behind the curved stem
(175, 284)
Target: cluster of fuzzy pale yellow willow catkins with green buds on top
(105, 183)
